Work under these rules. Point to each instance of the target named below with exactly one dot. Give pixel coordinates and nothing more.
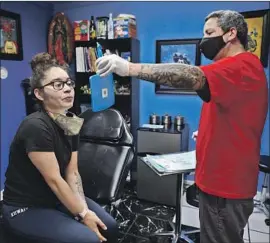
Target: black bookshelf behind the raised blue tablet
(126, 88)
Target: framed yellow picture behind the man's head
(258, 33)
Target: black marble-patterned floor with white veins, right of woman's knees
(139, 219)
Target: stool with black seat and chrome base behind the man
(263, 202)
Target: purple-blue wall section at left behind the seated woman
(34, 19)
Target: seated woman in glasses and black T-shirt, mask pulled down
(43, 195)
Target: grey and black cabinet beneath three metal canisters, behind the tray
(158, 141)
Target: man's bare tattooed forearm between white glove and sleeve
(175, 75)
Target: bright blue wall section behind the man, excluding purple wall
(165, 20)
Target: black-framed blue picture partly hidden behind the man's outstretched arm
(177, 51)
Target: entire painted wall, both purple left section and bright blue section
(155, 20)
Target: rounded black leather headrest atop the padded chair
(106, 125)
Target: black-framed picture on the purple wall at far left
(10, 36)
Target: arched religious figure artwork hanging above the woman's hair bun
(61, 39)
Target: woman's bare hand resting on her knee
(92, 221)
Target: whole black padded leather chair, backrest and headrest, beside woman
(106, 152)
